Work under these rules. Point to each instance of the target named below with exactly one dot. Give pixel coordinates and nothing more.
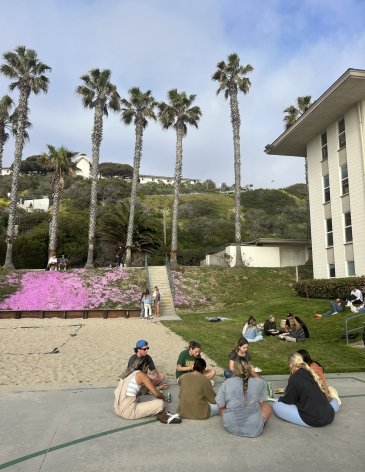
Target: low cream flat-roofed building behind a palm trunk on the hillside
(263, 252)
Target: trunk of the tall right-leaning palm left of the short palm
(19, 144)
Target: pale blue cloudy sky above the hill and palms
(296, 47)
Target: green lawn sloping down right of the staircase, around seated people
(238, 293)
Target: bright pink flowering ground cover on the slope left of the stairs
(74, 290)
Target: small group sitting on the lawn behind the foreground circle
(294, 329)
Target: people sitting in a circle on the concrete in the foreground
(307, 401)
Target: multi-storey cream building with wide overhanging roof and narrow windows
(331, 135)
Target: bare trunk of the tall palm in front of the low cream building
(236, 122)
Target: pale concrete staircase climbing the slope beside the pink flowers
(158, 278)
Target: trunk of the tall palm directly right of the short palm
(97, 137)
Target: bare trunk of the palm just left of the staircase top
(136, 166)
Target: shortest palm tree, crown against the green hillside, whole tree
(59, 160)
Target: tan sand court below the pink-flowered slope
(91, 352)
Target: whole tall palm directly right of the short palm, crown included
(100, 94)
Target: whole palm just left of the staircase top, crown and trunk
(139, 109)
